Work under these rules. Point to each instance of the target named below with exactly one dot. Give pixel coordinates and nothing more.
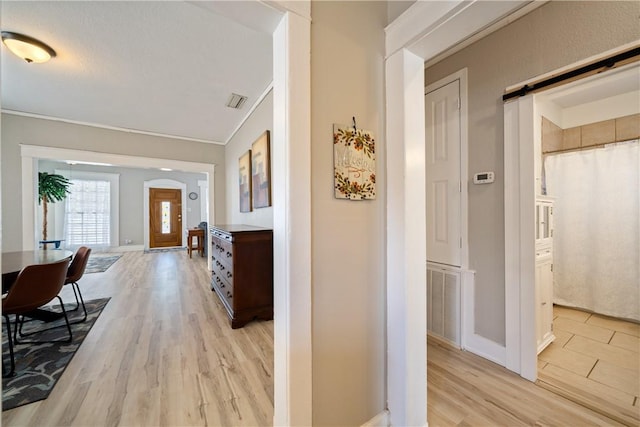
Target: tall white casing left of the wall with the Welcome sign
(291, 151)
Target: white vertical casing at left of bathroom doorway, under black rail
(519, 202)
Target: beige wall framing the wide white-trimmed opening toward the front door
(18, 130)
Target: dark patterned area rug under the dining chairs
(39, 366)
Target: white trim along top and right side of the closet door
(462, 76)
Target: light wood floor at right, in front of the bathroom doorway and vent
(467, 390)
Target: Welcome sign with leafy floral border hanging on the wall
(354, 160)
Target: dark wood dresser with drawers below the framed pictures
(242, 275)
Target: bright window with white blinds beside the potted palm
(88, 213)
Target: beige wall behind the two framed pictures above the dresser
(260, 120)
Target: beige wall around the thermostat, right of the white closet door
(550, 37)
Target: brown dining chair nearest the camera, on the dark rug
(36, 285)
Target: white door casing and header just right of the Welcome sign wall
(414, 31)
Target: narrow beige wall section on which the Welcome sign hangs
(348, 247)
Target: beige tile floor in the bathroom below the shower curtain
(594, 360)
